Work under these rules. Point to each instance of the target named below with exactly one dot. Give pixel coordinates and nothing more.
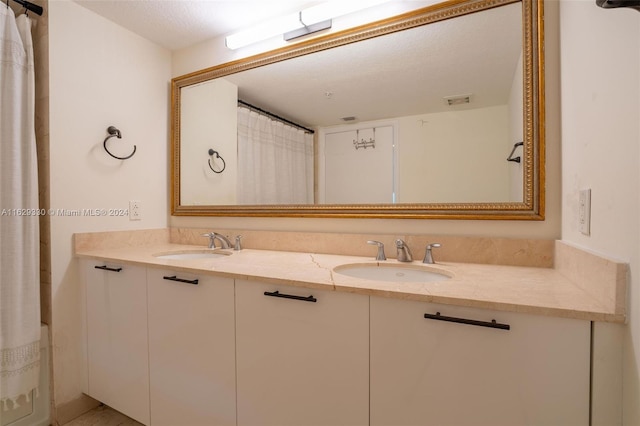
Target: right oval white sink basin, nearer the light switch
(391, 273)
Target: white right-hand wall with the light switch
(600, 55)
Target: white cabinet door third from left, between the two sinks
(301, 362)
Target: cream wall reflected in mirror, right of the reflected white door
(455, 157)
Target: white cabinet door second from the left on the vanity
(191, 349)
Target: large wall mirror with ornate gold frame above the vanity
(437, 113)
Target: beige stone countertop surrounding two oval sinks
(543, 291)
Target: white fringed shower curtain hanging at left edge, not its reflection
(19, 235)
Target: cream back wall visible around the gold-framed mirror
(213, 53)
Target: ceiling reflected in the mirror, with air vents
(402, 74)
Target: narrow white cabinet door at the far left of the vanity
(117, 354)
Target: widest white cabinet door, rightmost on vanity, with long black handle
(425, 371)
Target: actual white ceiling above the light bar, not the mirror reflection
(176, 24)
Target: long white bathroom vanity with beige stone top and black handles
(272, 337)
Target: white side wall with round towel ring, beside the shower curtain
(100, 75)
